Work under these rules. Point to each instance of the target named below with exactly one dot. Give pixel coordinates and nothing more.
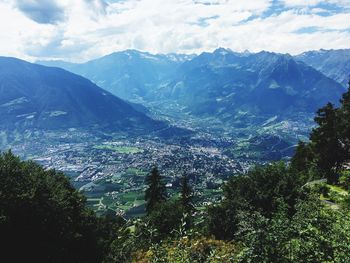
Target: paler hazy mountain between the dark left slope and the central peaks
(128, 74)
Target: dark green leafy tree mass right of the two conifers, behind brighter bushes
(261, 189)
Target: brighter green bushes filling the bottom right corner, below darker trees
(314, 234)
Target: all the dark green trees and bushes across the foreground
(297, 212)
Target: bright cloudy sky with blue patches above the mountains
(80, 30)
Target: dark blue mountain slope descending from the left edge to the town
(35, 96)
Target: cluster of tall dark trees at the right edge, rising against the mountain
(329, 146)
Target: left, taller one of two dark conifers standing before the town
(156, 191)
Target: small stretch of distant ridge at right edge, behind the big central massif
(333, 63)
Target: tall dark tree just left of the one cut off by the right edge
(326, 141)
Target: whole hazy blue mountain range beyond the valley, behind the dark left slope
(223, 84)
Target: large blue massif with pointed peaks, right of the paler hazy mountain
(229, 84)
